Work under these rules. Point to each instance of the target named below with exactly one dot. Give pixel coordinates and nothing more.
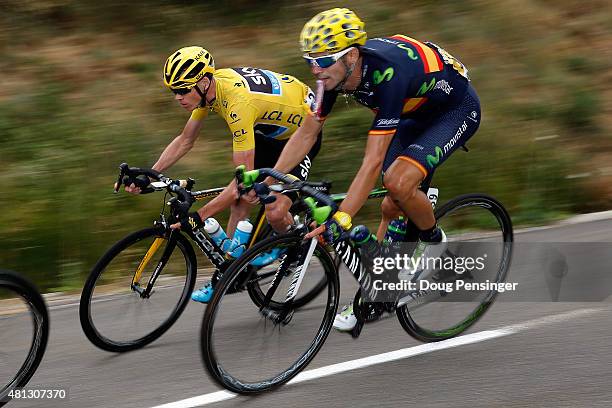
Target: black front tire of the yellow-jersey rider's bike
(87, 322)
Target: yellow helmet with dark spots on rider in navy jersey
(332, 30)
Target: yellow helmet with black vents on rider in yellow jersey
(187, 66)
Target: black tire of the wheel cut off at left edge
(37, 308)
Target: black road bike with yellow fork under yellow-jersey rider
(138, 289)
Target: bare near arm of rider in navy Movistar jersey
(368, 173)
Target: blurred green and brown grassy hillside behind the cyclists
(82, 93)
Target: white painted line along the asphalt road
(393, 356)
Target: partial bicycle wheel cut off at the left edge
(24, 331)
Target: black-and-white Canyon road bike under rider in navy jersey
(250, 348)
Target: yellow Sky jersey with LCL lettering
(257, 101)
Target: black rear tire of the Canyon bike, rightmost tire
(497, 209)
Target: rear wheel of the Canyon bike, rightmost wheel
(476, 225)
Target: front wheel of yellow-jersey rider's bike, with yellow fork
(116, 313)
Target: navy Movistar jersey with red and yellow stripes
(404, 78)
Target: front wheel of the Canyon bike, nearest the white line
(249, 348)
